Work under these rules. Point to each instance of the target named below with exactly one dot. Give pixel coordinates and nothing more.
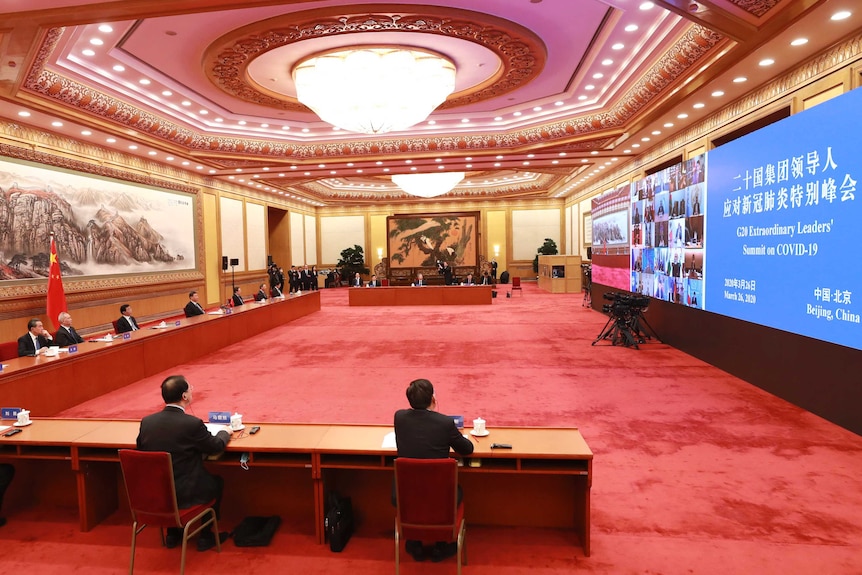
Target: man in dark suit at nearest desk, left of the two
(187, 439)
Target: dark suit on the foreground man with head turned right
(187, 439)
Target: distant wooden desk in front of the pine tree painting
(425, 295)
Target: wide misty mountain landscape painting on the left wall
(101, 226)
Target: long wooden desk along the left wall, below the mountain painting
(48, 385)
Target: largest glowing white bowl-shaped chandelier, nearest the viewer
(373, 90)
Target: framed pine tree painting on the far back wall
(423, 240)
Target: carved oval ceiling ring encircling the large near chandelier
(522, 53)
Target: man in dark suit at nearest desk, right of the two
(423, 433)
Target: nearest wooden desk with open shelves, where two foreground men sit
(544, 481)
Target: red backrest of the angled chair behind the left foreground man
(149, 479)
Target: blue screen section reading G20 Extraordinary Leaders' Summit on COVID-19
(783, 221)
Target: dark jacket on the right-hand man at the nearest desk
(427, 434)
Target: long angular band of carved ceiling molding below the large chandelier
(687, 51)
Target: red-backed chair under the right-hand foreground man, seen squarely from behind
(427, 507)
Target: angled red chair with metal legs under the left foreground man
(149, 480)
